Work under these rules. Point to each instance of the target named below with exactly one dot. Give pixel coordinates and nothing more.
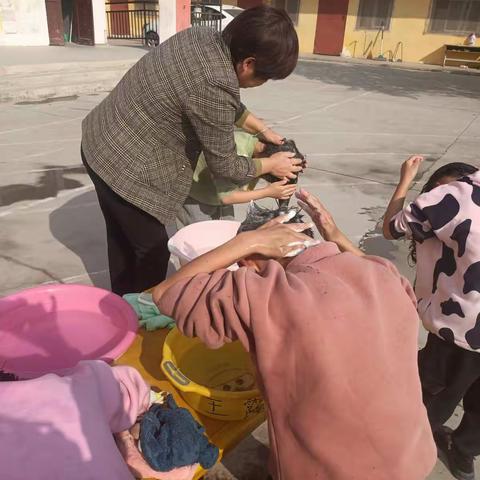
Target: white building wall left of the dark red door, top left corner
(23, 22)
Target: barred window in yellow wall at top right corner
(455, 16)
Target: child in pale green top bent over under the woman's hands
(213, 199)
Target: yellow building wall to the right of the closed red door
(409, 25)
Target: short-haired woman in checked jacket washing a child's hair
(141, 143)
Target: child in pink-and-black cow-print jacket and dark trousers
(444, 226)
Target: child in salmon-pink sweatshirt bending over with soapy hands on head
(333, 335)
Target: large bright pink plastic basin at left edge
(51, 328)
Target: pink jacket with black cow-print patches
(445, 224)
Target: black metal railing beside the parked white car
(131, 20)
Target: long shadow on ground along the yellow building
(391, 81)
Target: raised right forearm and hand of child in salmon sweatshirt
(325, 223)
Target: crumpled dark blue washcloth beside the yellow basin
(171, 438)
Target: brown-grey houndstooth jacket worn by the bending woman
(144, 138)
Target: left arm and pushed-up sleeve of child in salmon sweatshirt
(212, 303)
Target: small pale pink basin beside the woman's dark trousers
(198, 238)
